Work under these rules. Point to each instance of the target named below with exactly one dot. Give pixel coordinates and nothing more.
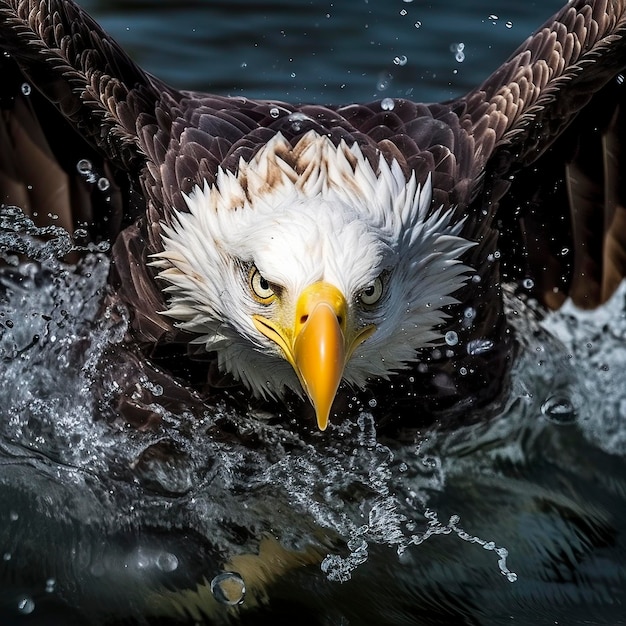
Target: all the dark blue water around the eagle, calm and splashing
(218, 517)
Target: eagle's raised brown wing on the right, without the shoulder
(550, 123)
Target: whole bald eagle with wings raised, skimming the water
(307, 249)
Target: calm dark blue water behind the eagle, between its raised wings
(328, 52)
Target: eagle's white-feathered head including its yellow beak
(309, 266)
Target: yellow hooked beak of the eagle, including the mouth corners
(318, 344)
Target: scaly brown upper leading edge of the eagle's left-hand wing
(82, 71)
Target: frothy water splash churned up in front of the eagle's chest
(231, 477)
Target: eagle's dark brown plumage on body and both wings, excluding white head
(531, 159)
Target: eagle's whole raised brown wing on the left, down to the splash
(71, 102)
